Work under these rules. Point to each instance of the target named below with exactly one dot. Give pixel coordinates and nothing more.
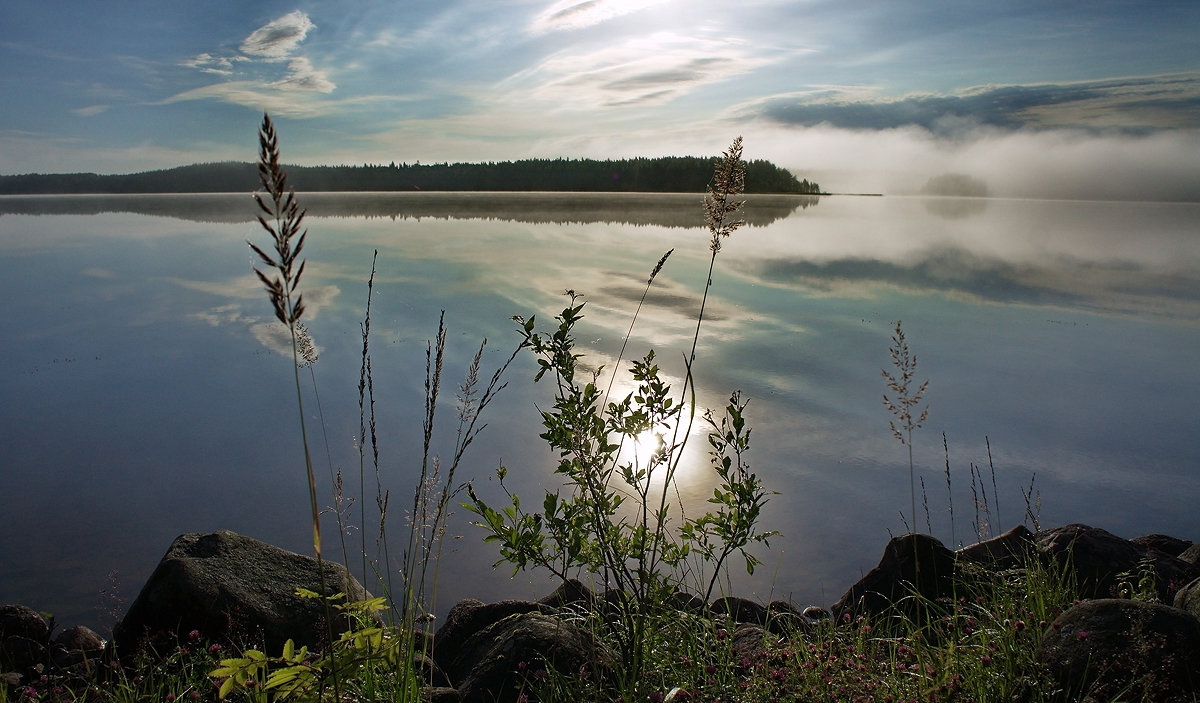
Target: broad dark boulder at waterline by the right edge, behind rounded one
(1101, 558)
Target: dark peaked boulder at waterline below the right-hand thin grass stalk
(913, 564)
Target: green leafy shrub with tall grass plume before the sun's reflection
(615, 519)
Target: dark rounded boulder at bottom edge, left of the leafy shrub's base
(499, 659)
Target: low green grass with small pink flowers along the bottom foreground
(981, 648)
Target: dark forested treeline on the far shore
(671, 175)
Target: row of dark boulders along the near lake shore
(235, 590)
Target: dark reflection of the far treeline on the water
(639, 209)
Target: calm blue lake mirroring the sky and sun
(146, 395)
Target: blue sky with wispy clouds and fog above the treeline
(1091, 100)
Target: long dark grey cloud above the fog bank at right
(1136, 105)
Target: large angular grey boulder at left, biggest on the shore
(236, 591)
